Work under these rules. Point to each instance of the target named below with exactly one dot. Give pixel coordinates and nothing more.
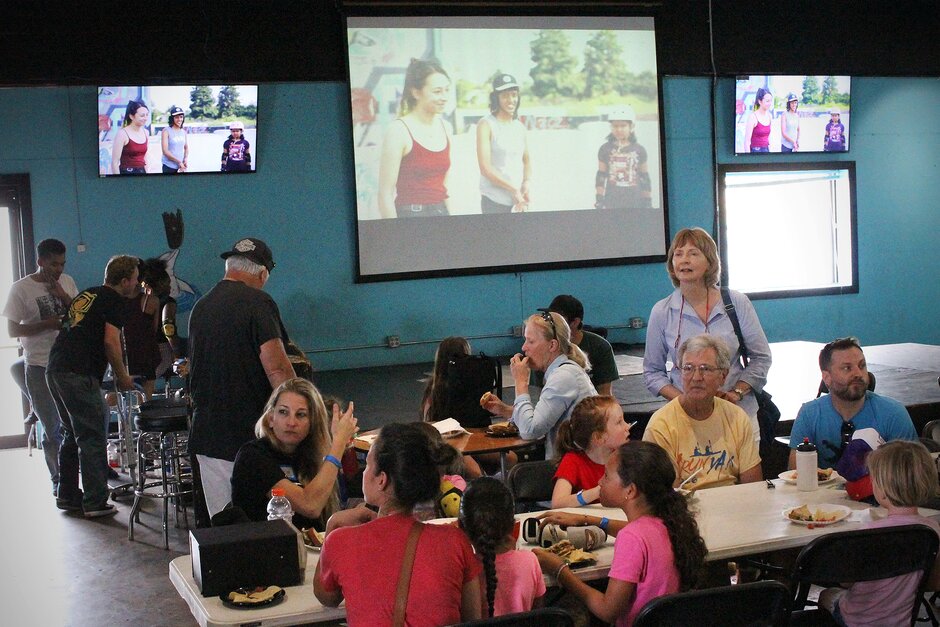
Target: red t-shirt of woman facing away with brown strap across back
(365, 561)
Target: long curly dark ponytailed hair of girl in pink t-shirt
(647, 466)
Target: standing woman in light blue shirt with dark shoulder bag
(696, 307)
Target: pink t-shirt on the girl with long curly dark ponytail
(643, 555)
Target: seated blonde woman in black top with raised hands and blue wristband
(298, 449)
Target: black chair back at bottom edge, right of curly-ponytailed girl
(758, 603)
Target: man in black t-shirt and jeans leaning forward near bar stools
(90, 340)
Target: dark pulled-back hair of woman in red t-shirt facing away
(410, 460)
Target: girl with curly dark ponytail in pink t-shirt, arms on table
(658, 551)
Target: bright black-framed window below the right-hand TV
(788, 229)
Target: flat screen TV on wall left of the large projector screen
(218, 130)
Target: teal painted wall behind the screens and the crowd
(301, 202)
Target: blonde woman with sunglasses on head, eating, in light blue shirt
(547, 348)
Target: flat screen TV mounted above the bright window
(785, 114)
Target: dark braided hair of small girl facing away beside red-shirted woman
(486, 515)
